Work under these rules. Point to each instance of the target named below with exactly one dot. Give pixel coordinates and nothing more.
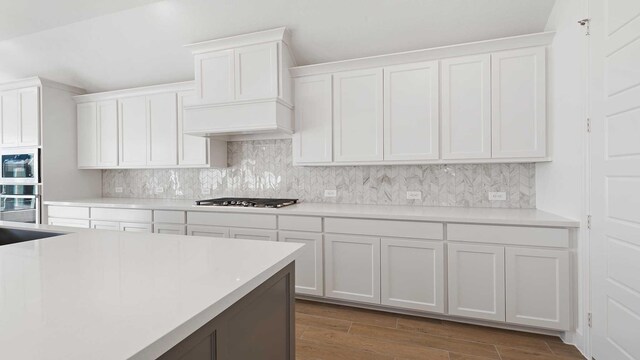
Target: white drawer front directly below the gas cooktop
(232, 220)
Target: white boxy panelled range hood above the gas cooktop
(242, 86)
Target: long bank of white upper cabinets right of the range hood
(469, 103)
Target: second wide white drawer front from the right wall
(411, 229)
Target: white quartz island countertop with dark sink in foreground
(94, 294)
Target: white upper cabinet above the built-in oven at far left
(20, 117)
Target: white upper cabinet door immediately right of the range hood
(313, 136)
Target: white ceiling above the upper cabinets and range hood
(115, 44)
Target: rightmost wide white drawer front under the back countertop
(509, 235)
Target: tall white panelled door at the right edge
(615, 164)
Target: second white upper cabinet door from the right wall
(466, 107)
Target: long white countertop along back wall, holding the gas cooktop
(526, 217)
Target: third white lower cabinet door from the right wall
(412, 274)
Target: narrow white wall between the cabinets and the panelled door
(561, 184)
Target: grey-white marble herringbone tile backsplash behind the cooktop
(264, 169)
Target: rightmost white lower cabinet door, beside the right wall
(538, 287)
